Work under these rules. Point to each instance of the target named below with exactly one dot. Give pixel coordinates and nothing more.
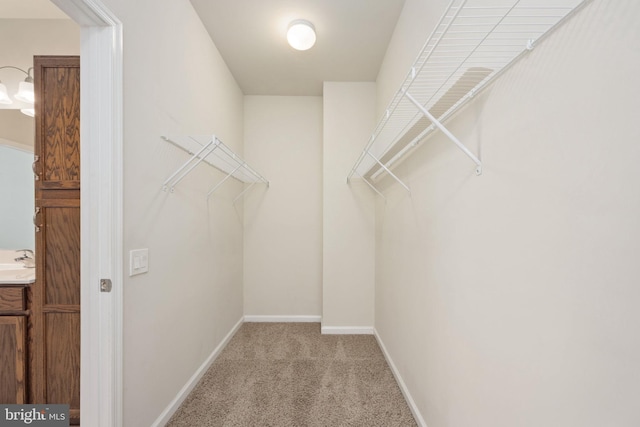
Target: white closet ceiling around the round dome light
(352, 38)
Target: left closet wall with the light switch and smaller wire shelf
(175, 82)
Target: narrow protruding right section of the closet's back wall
(348, 272)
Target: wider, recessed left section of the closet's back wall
(283, 227)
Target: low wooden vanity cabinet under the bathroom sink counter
(12, 344)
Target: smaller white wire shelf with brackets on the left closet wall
(210, 150)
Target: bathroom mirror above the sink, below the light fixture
(17, 135)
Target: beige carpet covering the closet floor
(288, 374)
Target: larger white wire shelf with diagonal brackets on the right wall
(473, 43)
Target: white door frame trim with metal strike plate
(101, 202)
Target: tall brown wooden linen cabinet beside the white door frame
(54, 300)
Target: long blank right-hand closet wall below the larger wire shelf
(511, 299)
